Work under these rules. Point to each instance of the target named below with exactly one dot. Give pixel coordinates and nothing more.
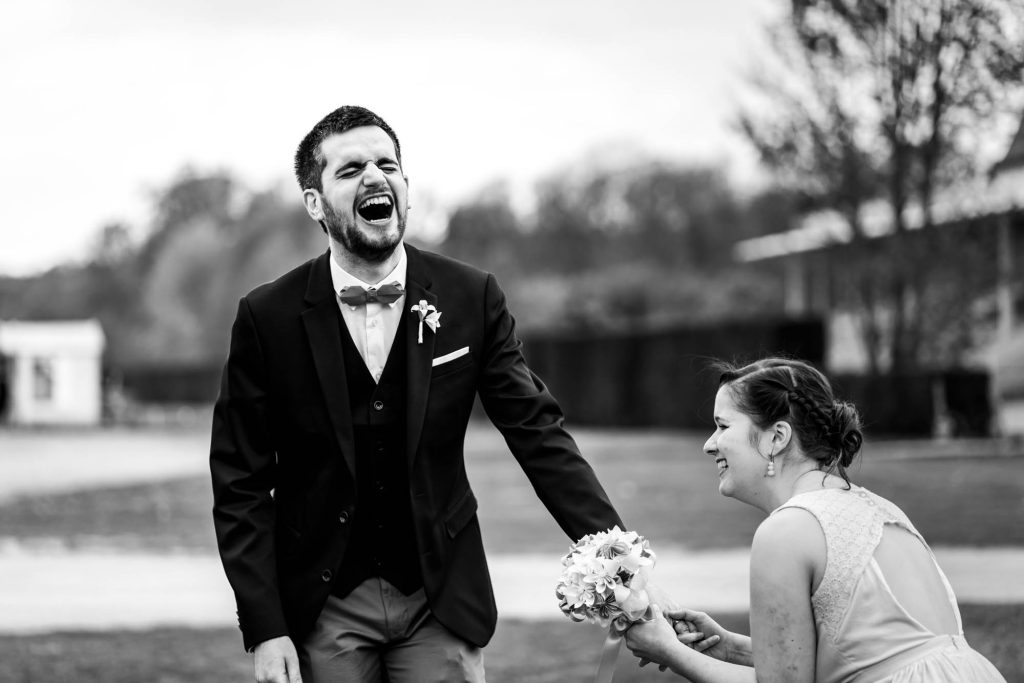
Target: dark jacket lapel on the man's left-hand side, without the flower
(321, 321)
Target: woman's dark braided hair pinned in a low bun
(774, 390)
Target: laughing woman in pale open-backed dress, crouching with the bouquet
(843, 588)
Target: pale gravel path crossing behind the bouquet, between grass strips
(59, 590)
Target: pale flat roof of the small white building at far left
(52, 337)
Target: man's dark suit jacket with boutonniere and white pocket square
(283, 462)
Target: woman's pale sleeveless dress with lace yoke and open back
(865, 635)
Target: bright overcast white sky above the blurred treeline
(108, 101)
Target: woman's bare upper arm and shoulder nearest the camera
(788, 548)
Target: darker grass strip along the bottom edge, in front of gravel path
(521, 653)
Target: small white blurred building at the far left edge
(51, 372)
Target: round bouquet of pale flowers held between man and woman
(604, 579)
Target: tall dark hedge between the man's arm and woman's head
(661, 378)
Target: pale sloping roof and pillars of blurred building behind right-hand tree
(812, 255)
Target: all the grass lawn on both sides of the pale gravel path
(661, 483)
